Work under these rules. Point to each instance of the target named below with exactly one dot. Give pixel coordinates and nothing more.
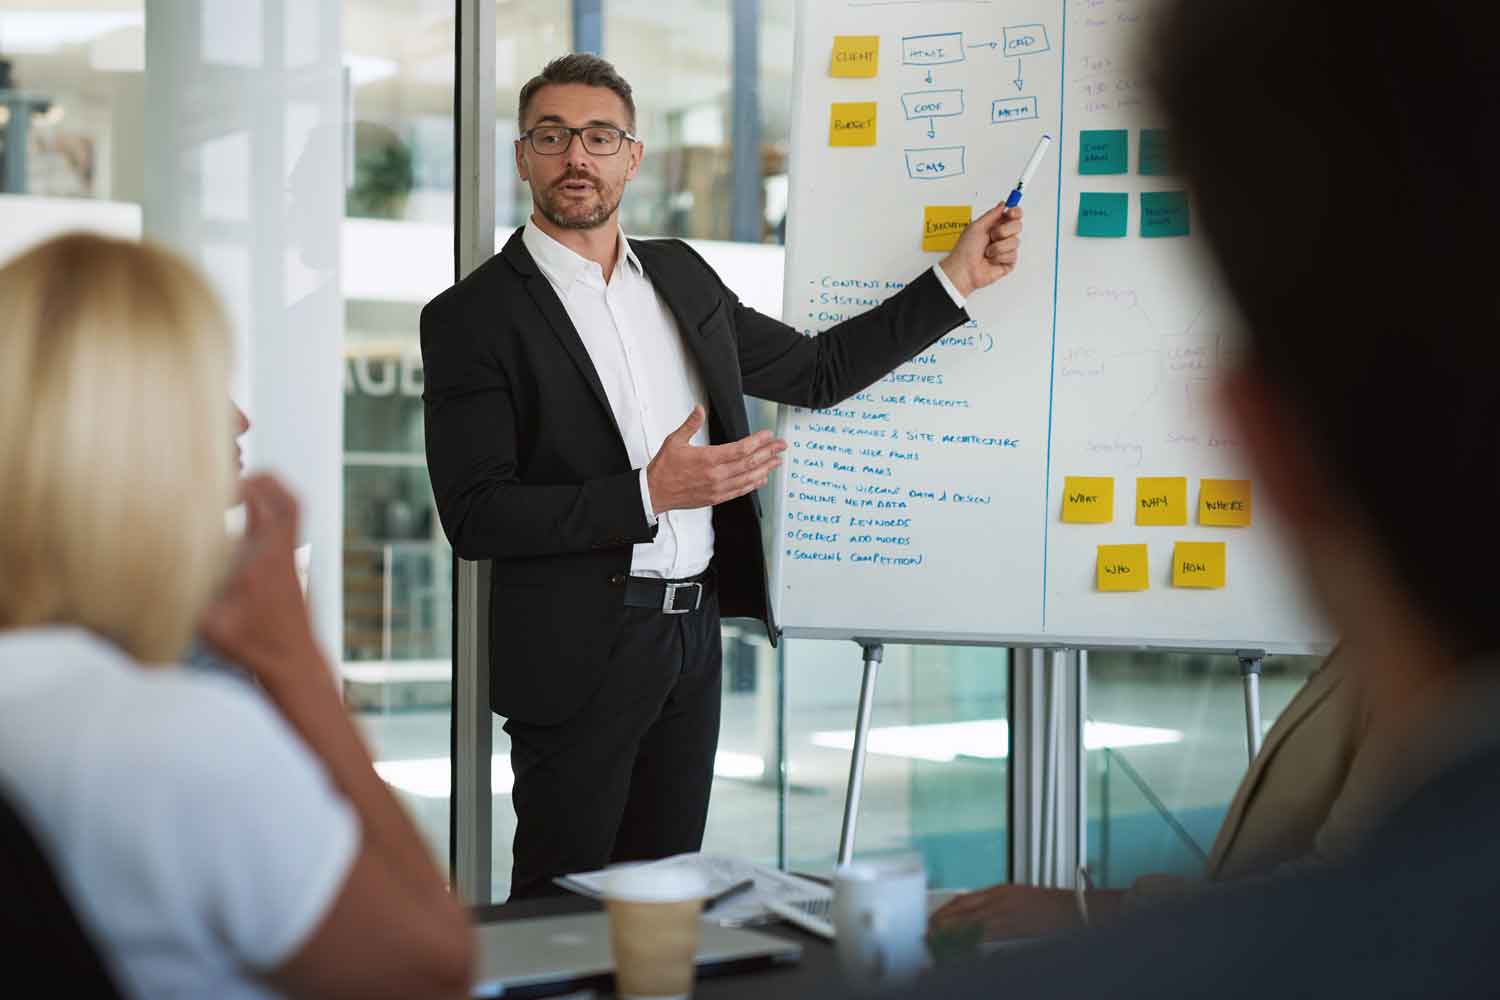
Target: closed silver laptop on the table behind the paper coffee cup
(556, 954)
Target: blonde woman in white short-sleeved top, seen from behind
(217, 840)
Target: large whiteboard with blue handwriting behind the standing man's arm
(929, 507)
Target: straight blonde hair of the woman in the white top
(115, 443)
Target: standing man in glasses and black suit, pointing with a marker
(587, 433)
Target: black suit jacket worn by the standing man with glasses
(530, 470)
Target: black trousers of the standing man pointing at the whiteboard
(628, 779)
